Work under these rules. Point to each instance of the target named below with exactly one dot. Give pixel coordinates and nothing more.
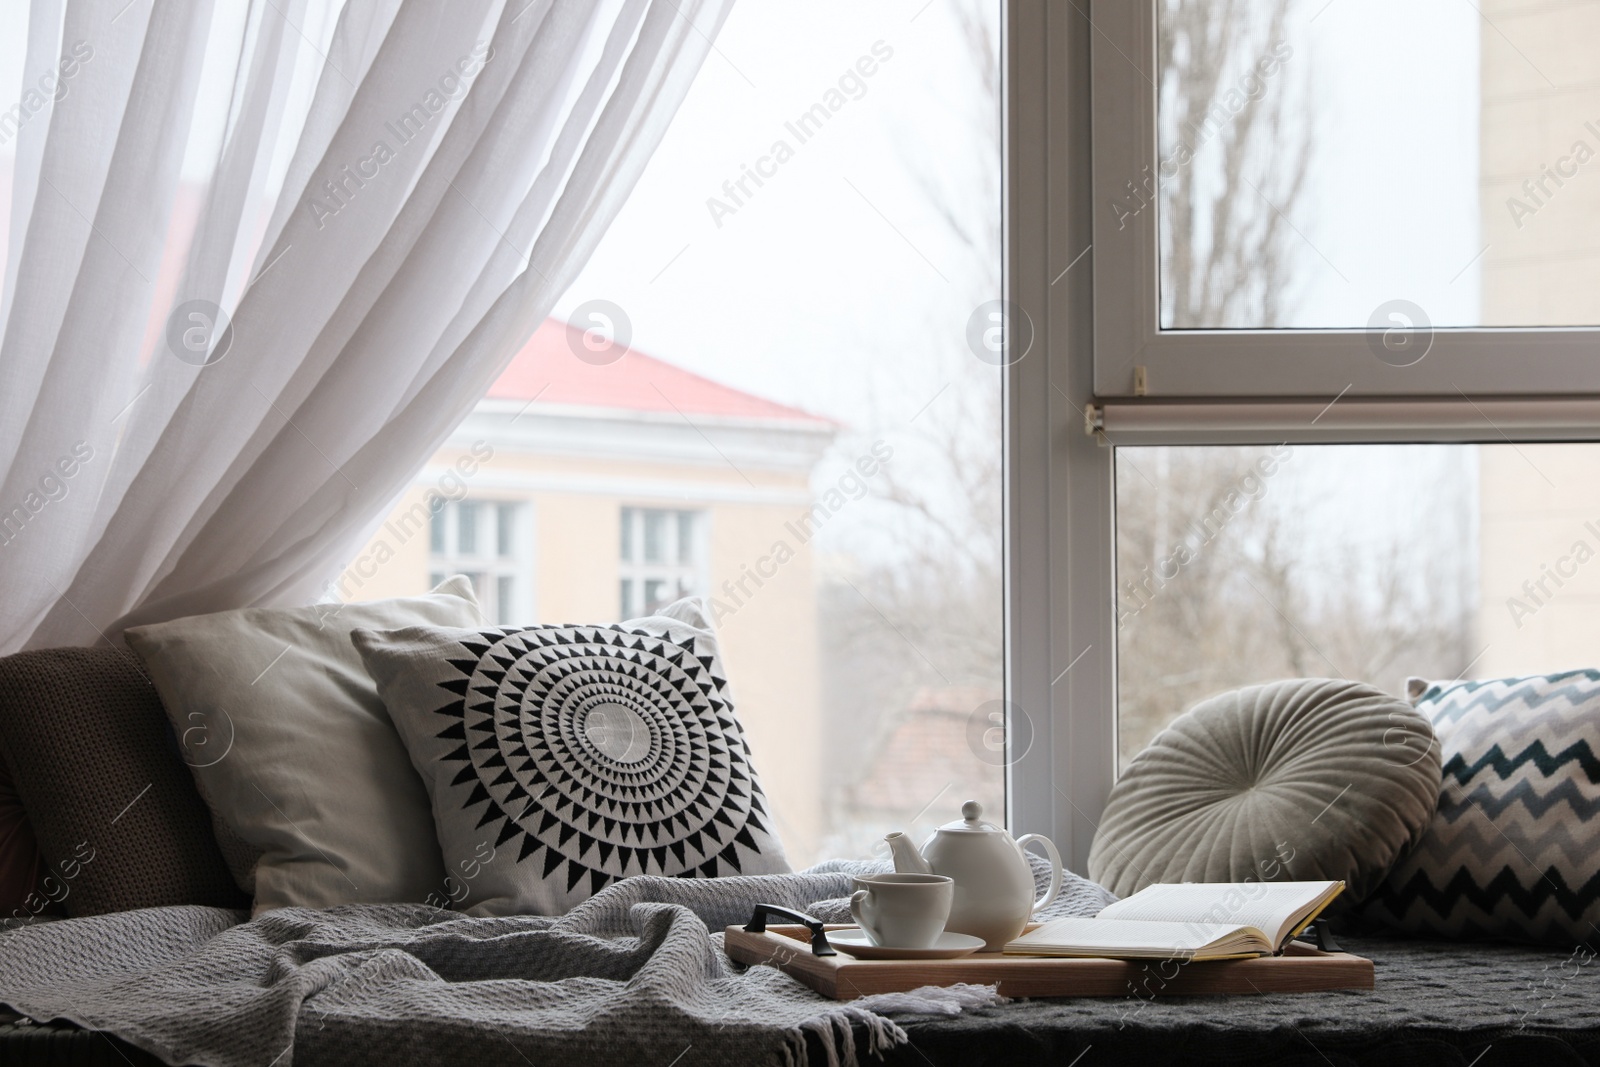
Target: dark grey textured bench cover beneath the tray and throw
(1436, 1004)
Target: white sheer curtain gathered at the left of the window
(260, 258)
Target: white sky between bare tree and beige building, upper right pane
(1393, 204)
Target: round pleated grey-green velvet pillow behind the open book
(1302, 780)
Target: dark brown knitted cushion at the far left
(114, 809)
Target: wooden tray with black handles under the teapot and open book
(1300, 970)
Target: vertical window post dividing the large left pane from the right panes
(1060, 612)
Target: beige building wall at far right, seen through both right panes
(1540, 206)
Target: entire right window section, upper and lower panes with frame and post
(1279, 412)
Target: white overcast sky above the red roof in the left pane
(818, 287)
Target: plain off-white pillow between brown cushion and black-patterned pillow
(294, 751)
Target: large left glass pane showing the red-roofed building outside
(775, 386)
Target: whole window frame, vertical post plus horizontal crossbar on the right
(1078, 118)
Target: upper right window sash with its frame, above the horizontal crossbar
(1247, 242)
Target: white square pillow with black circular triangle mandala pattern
(564, 757)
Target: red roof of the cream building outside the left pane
(548, 370)
